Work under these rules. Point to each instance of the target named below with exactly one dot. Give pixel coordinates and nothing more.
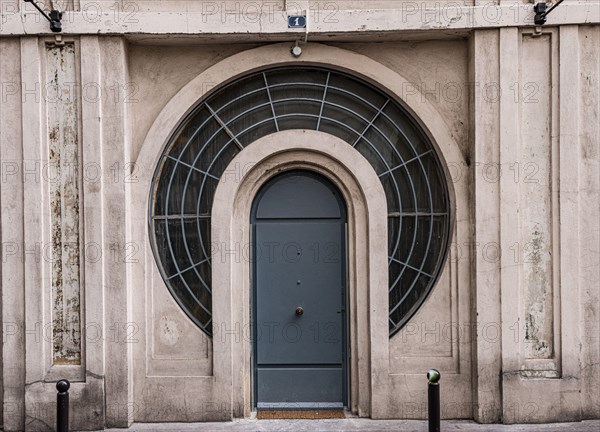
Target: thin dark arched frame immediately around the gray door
(345, 291)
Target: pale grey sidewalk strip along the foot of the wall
(357, 424)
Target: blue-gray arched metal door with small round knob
(299, 222)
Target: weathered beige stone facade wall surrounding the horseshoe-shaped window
(513, 322)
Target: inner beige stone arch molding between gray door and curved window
(367, 270)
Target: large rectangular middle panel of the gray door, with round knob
(299, 264)
